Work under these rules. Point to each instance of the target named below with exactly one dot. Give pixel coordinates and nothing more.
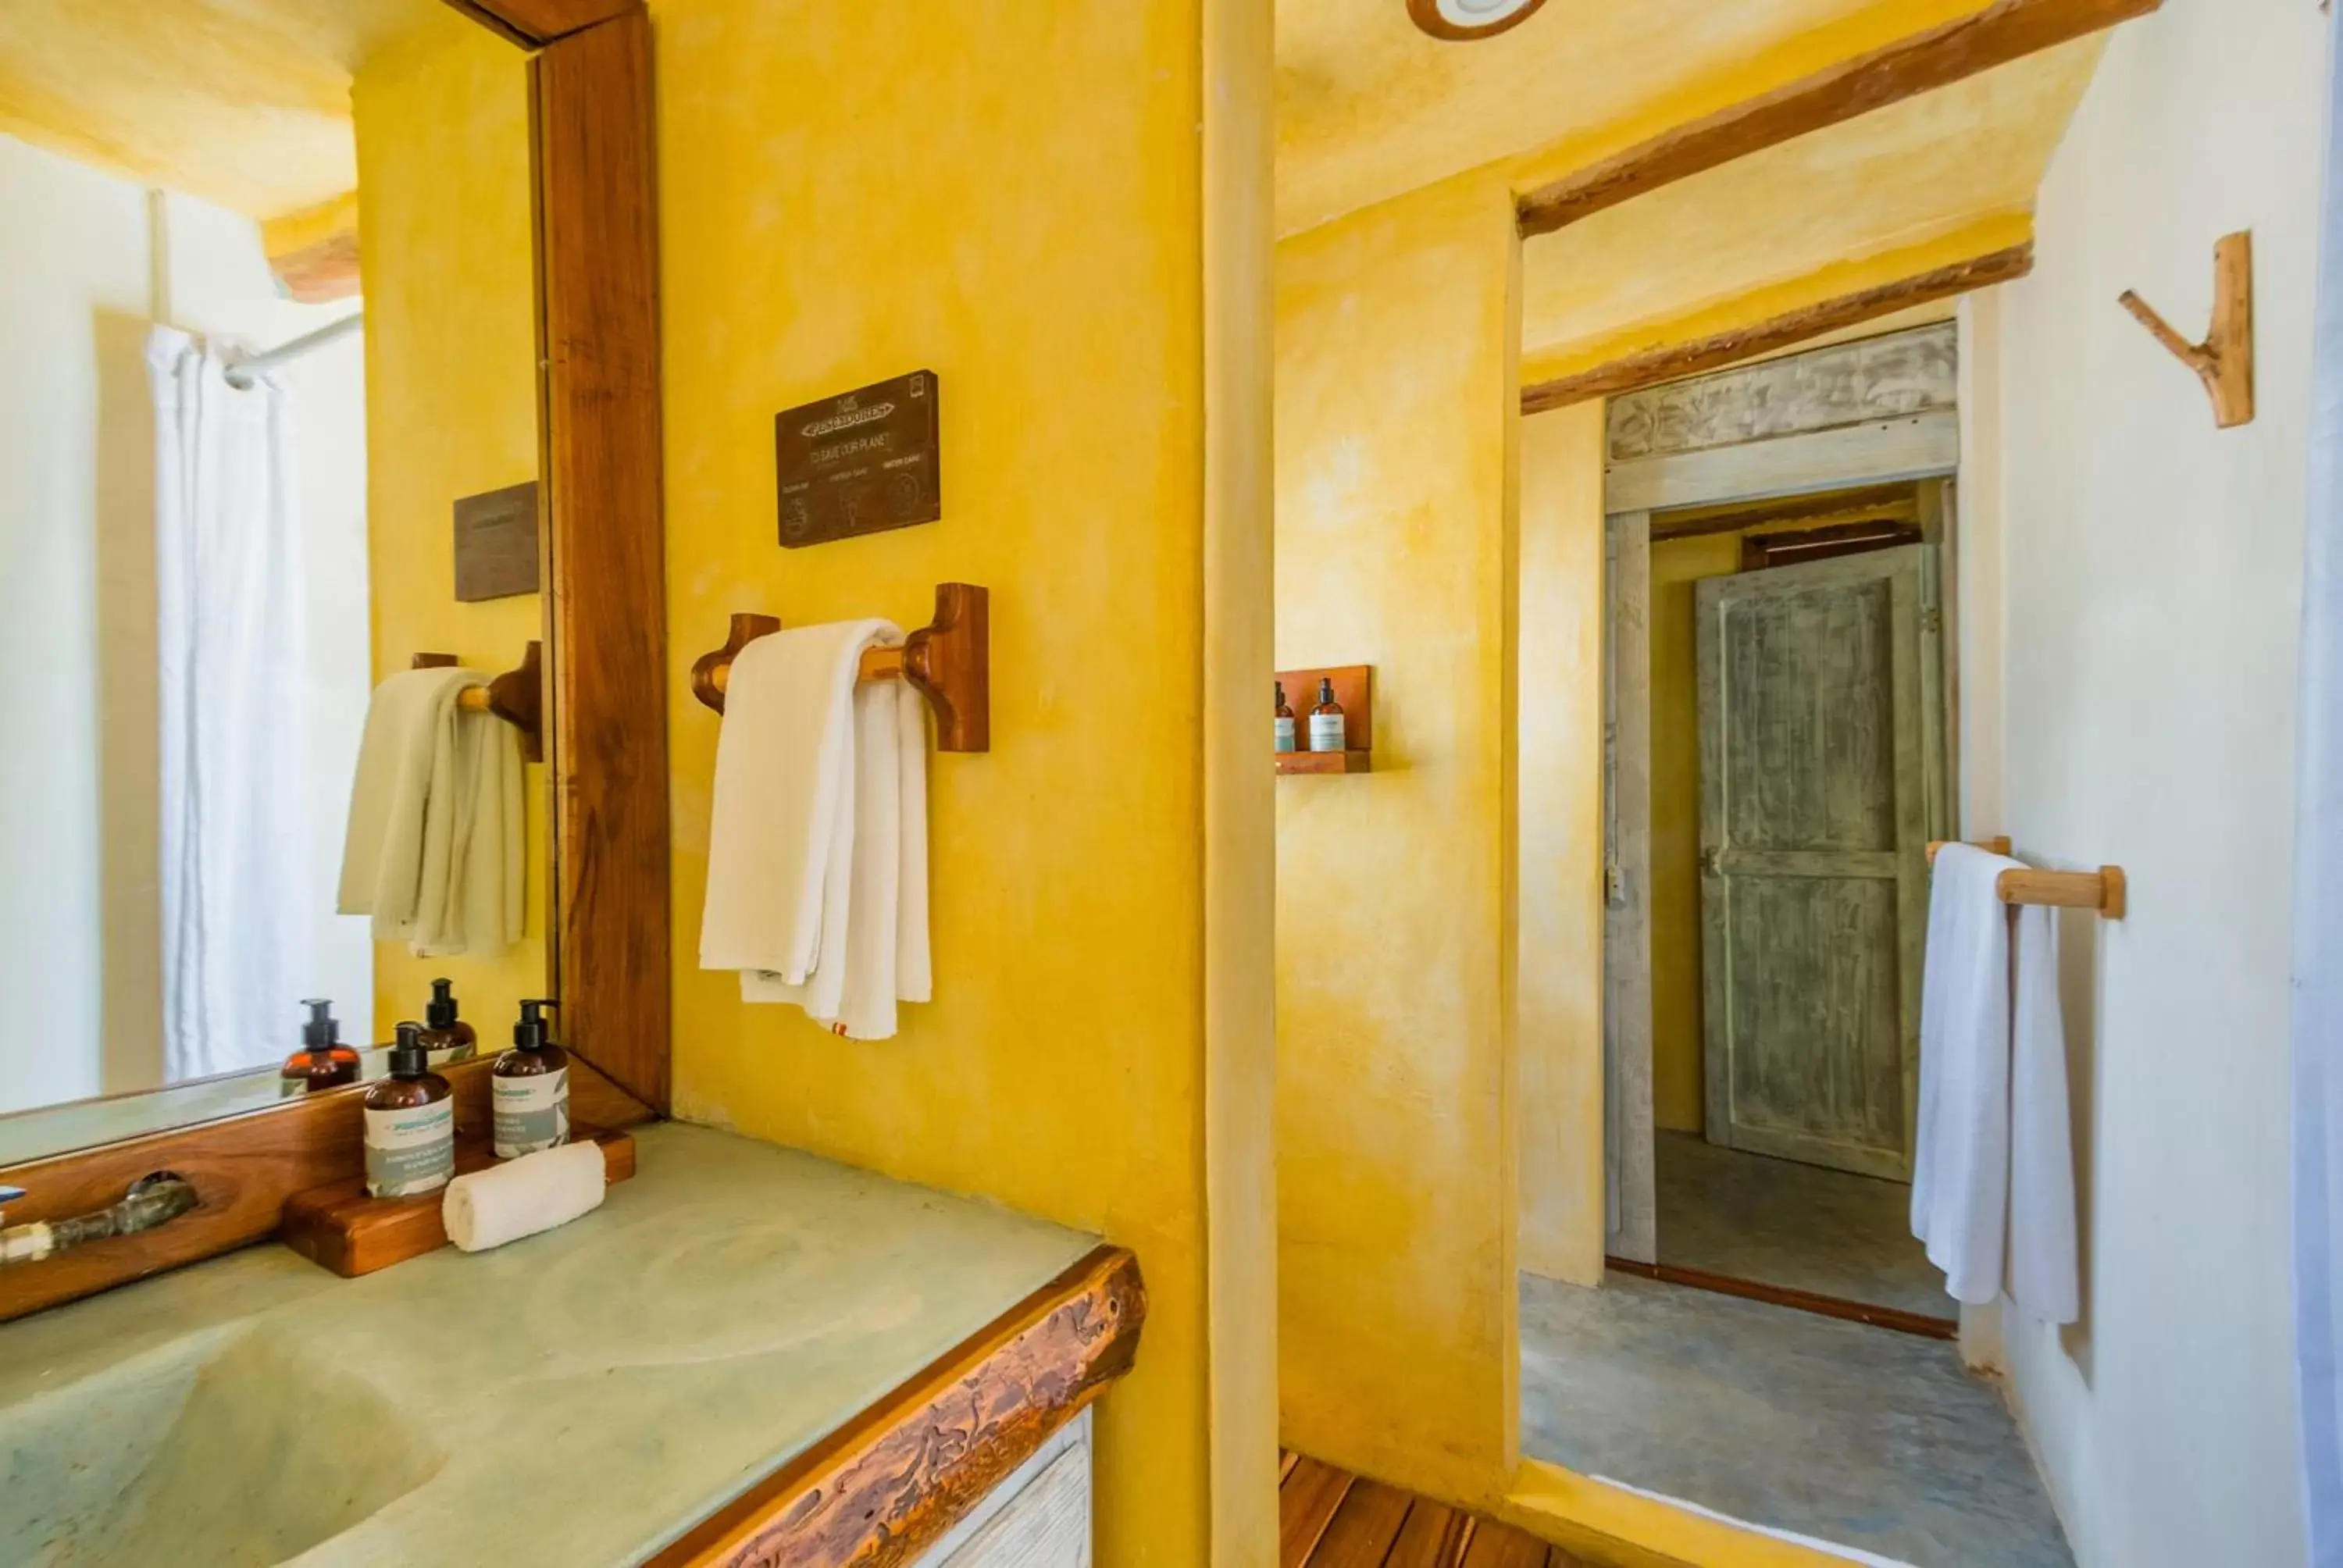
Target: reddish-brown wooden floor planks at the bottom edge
(1334, 1520)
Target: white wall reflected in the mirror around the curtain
(86, 266)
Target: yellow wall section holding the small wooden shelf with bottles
(1395, 1129)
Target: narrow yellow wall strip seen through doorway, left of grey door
(1676, 824)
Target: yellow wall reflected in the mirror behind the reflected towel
(451, 409)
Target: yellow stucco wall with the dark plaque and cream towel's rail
(1013, 200)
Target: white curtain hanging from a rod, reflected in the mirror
(235, 833)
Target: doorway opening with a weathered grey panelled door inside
(1796, 749)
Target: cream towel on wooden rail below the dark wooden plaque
(819, 833)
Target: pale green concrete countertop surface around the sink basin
(592, 1393)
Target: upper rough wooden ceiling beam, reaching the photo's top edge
(1939, 57)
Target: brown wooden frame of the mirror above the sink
(592, 156)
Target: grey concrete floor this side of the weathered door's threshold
(1854, 1436)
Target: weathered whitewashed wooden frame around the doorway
(1920, 451)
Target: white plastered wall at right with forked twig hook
(2147, 683)
